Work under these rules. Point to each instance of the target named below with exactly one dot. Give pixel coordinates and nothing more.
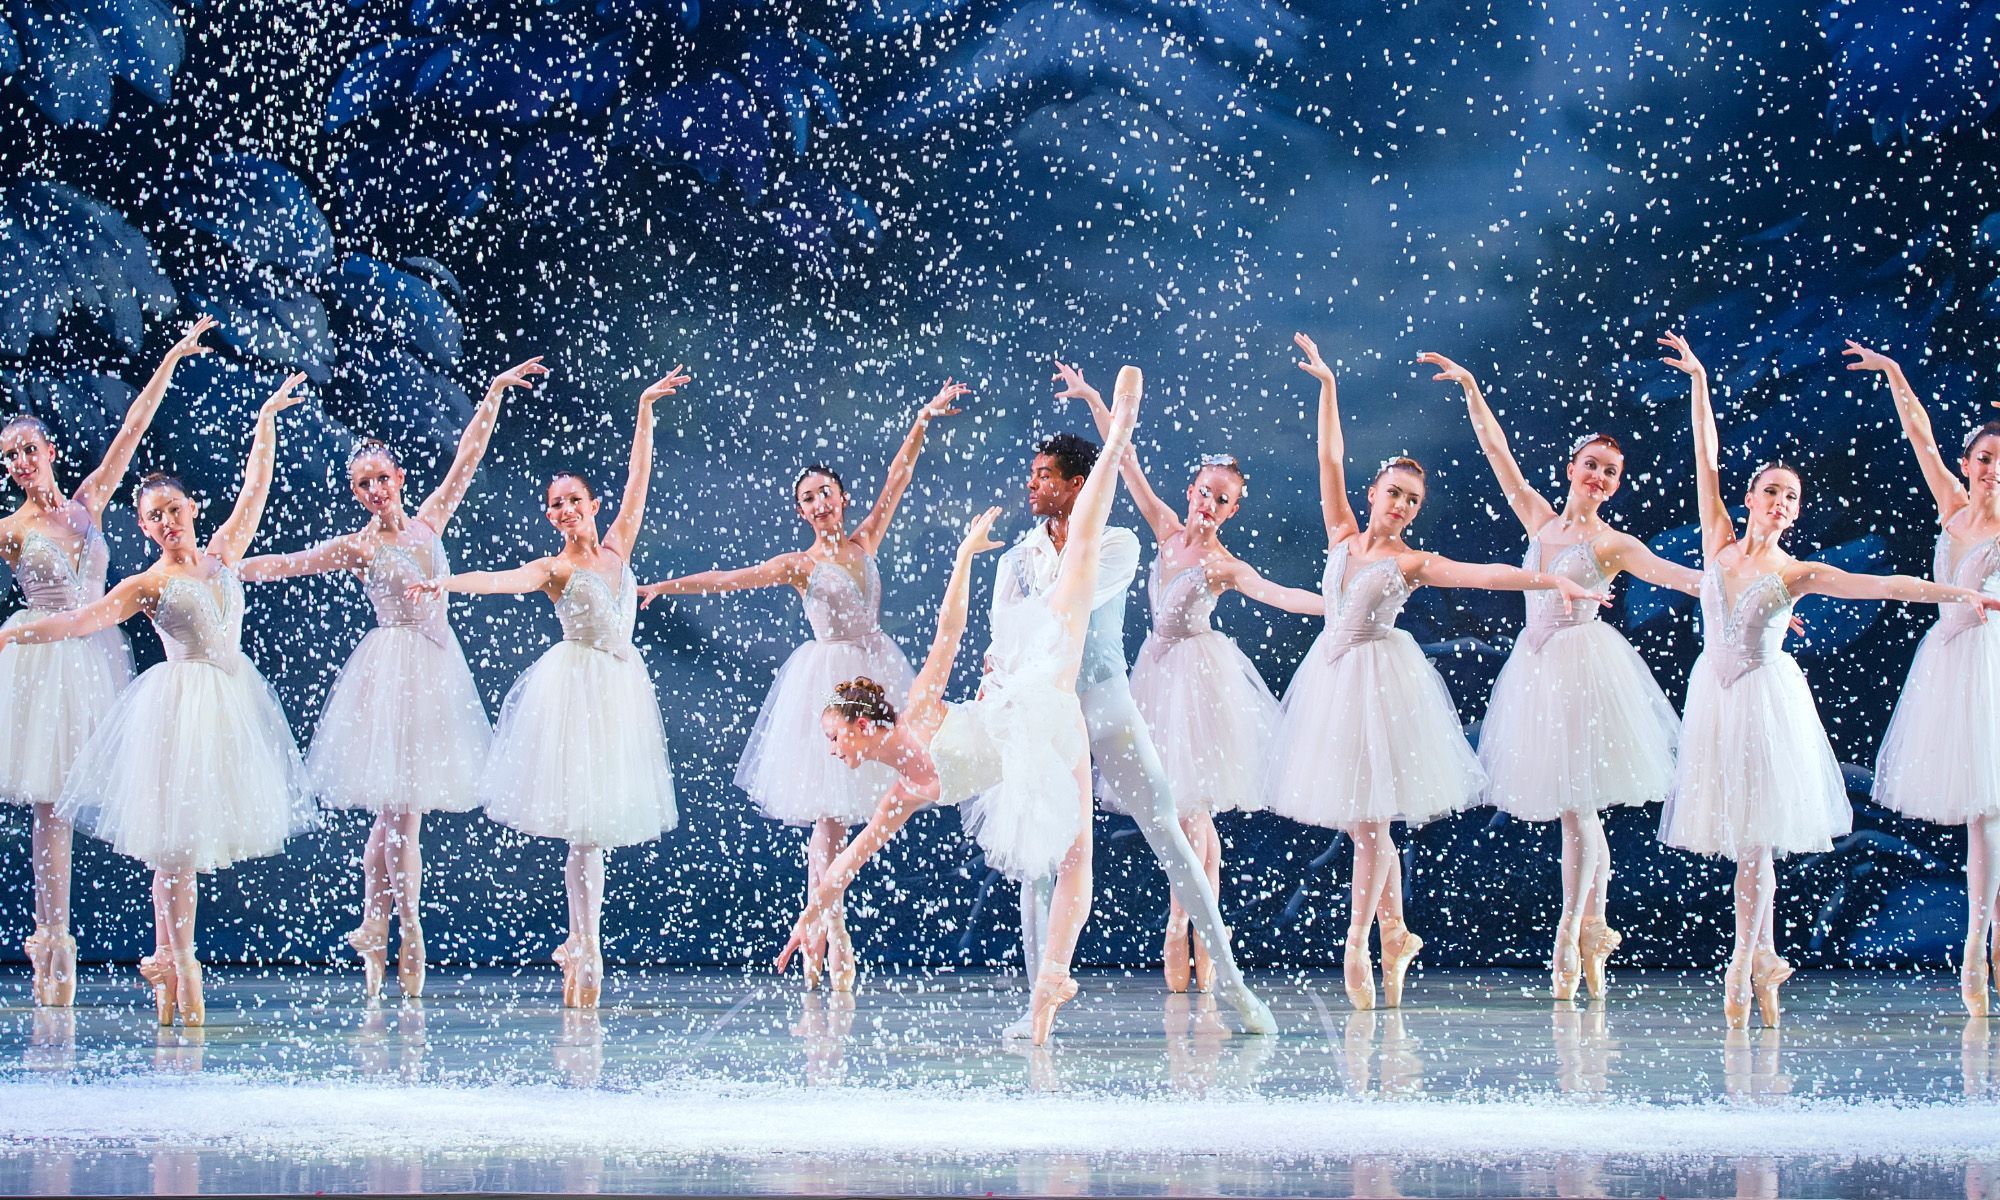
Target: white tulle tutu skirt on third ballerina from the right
(1577, 725)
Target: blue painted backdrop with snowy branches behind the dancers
(827, 209)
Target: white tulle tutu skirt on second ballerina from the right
(1755, 767)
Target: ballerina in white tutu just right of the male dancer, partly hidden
(1205, 703)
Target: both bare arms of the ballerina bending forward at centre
(921, 719)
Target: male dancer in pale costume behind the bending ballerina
(1121, 749)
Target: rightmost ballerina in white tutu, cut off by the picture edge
(1941, 759)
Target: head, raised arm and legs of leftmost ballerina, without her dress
(69, 521)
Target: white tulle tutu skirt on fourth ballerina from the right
(1367, 737)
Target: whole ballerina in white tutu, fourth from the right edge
(1367, 733)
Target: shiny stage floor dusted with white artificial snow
(731, 1085)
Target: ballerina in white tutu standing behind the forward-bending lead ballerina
(841, 589)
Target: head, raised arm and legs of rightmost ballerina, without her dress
(1969, 513)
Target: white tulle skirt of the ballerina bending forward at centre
(1009, 761)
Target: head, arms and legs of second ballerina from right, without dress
(1745, 559)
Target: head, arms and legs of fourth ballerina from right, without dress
(1395, 499)
